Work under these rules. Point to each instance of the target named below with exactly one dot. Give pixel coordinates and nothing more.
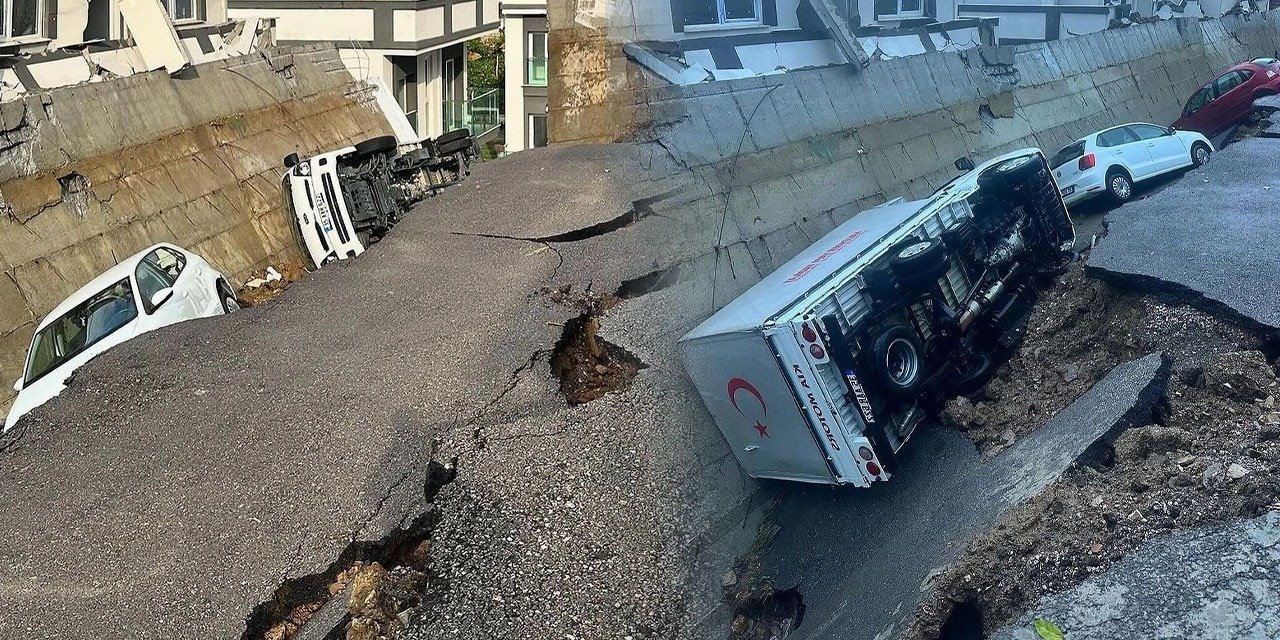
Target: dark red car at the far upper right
(1229, 98)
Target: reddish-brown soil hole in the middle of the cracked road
(589, 367)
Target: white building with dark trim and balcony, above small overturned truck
(417, 48)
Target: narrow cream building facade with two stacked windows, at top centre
(525, 66)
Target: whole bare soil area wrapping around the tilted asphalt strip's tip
(1212, 458)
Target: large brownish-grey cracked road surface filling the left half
(188, 474)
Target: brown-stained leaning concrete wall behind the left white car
(99, 172)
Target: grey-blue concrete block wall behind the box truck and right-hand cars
(802, 153)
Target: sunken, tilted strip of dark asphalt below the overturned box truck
(861, 557)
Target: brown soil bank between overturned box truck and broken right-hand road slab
(1078, 332)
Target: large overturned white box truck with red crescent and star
(822, 371)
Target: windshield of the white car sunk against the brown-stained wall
(99, 317)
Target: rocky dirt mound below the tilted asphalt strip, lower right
(1213, 459)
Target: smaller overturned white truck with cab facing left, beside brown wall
(349, 199)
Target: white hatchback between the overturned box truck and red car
(1112, 161)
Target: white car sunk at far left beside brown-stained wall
(157, 287)
